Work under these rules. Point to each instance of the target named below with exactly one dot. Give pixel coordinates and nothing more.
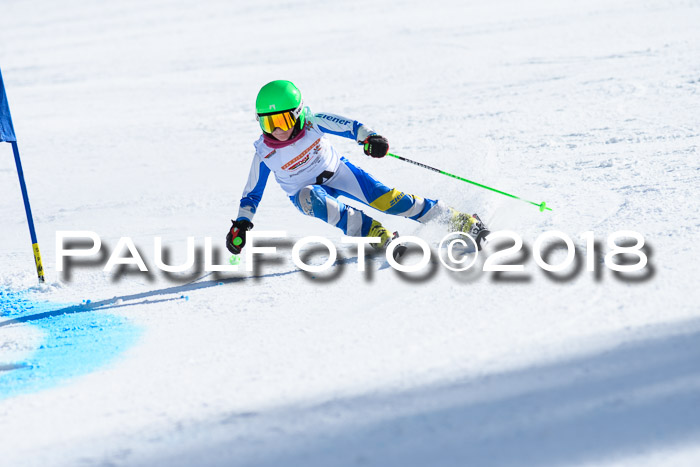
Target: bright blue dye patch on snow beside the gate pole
(73, 344)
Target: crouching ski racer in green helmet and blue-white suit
(309, 169)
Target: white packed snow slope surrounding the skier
(136, 119)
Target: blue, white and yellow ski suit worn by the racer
(314, 175)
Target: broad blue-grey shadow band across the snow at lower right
(628, 400)
